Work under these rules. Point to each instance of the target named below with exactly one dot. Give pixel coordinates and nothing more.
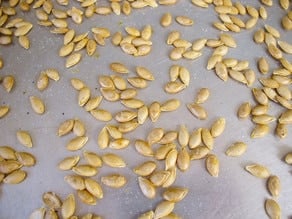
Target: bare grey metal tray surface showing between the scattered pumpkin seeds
(235, 194)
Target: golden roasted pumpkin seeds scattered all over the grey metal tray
(175, 149)
